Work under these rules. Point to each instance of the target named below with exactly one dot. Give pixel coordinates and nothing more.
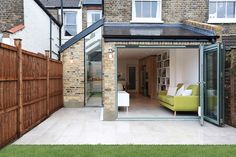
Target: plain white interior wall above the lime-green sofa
(184, 66)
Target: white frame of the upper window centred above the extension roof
(136, 19)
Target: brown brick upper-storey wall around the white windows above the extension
(173, 11)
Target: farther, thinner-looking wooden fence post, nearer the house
(48, 81)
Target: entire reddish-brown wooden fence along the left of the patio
(31, 89)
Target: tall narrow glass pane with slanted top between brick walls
(93, 66)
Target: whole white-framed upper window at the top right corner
(222, 11)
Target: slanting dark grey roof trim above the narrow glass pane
(82, 34)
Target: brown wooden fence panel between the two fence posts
(34, 71)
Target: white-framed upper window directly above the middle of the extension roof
(146, 11)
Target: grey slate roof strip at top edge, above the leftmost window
(57, 3)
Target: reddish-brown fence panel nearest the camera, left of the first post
(8, 94)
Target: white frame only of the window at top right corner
(221, 20)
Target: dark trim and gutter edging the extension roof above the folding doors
(204, 34)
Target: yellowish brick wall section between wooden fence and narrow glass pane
(73, 75)
